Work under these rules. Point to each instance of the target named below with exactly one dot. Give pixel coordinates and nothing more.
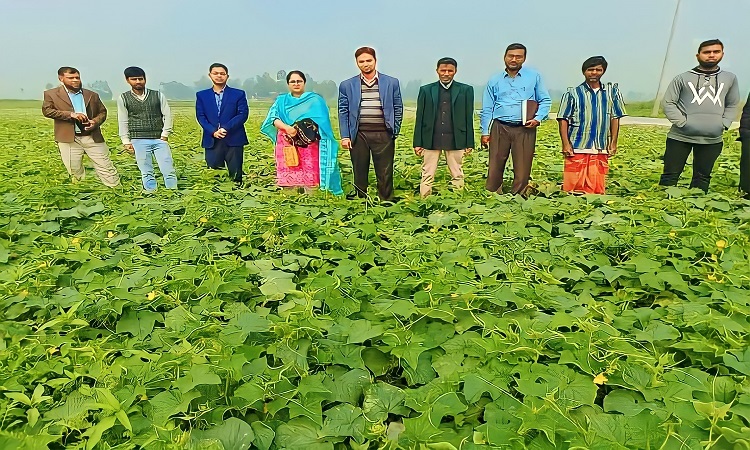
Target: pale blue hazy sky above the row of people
(176, 40)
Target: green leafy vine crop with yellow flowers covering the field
(219, 318)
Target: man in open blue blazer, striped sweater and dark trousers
(370, 113)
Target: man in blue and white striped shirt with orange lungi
(589, 122)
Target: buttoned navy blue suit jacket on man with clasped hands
(232, 117)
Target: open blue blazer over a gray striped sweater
(350, 97)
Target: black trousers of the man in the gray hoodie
(704, 158)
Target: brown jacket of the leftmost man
(57, 106)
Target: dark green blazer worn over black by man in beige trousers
(462, 96)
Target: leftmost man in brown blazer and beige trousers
(78, 114)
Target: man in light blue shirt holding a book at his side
(507, 128)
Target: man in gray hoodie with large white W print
(701, 104)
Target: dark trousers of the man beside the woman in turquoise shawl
(382, 148)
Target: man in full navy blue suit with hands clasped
(222, 112)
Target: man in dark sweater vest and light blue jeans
(145, 125)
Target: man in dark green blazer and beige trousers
(445, 124)
